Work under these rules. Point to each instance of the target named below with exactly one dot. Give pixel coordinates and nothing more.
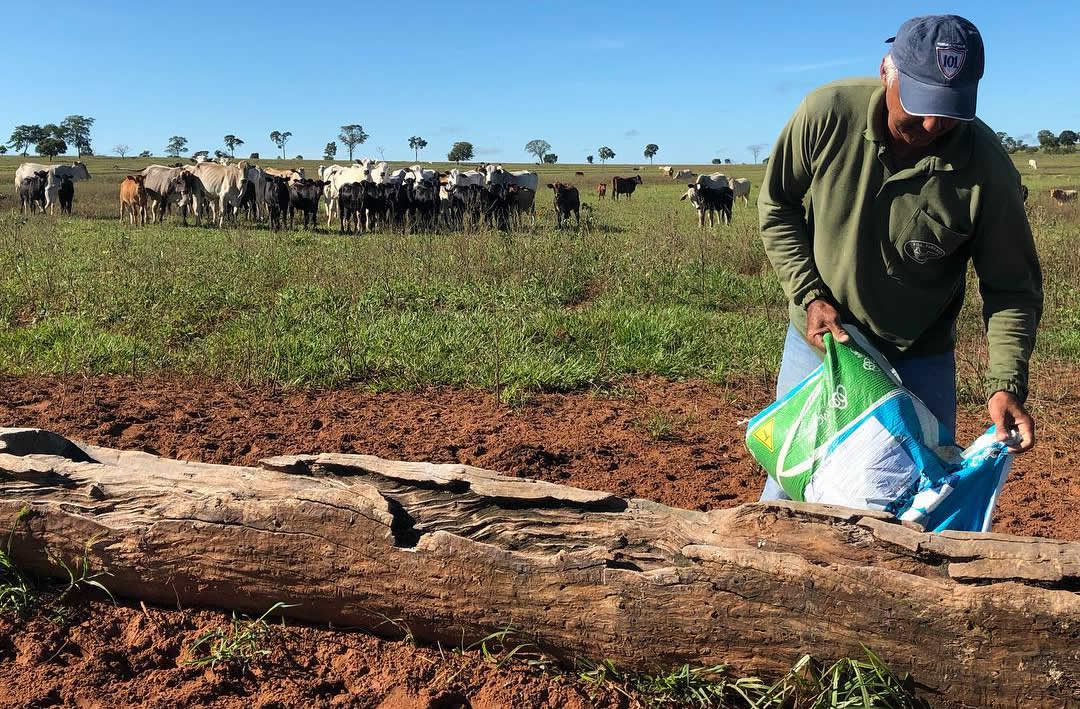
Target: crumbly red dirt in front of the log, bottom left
(133, 657)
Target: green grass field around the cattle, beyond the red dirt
(638, 289)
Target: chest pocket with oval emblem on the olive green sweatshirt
(926, 251)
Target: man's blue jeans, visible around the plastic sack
(930, 379)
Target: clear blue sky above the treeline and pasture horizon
(700, 79)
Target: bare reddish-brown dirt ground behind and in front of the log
(679, 444)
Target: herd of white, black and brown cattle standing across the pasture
(362, 197)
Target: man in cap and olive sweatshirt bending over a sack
(906, 186)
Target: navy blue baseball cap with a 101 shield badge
(940, 60)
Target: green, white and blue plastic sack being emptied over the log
(852, 435)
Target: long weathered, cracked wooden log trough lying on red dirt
(457, 553)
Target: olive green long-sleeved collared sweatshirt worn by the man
(892, 248)
